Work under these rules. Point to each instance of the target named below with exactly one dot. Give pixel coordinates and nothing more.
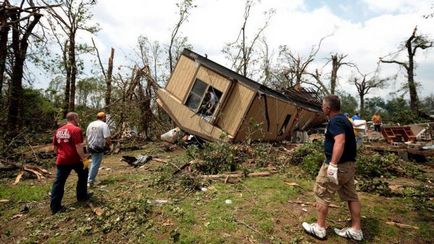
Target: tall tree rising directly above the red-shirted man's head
(70, 17)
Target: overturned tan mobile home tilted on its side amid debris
(213, 102)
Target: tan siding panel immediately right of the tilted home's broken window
(232, 113)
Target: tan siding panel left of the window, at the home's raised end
(182, 78)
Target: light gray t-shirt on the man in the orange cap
(96, 133)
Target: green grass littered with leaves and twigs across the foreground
(259, 211)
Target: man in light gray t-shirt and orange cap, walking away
(98, 138)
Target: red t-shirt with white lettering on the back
(65, 139)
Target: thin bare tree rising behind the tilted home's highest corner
(184, 8)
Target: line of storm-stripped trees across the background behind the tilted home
(43, 34)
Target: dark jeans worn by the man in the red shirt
(58, 188)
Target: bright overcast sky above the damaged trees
(363, 29)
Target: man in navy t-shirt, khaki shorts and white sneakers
(337, 173)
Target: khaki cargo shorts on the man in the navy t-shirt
(324, 189)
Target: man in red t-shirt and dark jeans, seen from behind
(68, 144)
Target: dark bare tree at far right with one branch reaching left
(413, 43)
